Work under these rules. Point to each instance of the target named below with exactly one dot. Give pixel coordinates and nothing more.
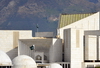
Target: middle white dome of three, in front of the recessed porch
(24, 61)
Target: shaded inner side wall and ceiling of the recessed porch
(41, 45)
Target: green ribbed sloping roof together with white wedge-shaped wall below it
(89, 21)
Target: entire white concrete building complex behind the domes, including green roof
(77, 45)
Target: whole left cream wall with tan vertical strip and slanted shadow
(9, 40)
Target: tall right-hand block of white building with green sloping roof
(80, 33)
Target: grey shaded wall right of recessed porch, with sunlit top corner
(55, 53)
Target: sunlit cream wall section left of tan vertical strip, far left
(6, 40)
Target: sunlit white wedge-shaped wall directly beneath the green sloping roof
(88, 23)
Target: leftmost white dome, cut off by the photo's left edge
(4, 59)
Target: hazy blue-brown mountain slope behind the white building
(25, 14)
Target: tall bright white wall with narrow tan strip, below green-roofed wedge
(77, 48)
